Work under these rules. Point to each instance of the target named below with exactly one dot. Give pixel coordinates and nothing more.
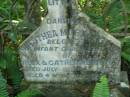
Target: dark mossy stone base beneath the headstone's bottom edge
(64, 91)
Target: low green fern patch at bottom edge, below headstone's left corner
(29, 93)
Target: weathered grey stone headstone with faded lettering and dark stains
(69, 48)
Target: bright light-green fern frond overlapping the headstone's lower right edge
(102, 88)
